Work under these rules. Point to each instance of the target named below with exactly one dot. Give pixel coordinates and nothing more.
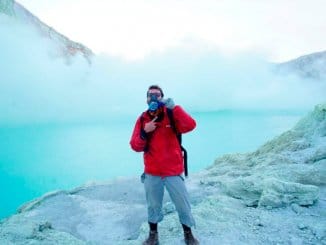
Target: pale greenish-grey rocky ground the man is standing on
(275, 195)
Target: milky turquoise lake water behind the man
(40, 158)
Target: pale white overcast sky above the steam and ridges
(132, 29)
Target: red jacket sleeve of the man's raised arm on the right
(183, 121)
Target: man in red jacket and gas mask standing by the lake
(163, 160)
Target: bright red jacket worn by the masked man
(163, 156)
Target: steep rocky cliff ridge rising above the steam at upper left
(65, 47)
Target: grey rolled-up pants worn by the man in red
(154, 189)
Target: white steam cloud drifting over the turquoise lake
(36, 86)
